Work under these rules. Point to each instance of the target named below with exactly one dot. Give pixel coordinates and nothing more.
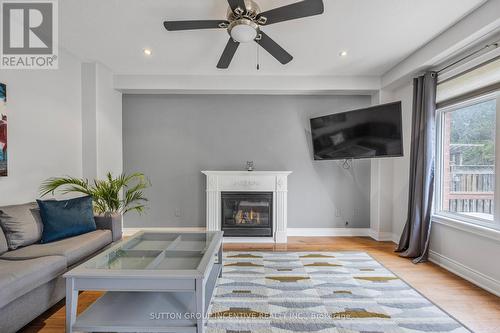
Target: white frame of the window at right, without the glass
(438, 188)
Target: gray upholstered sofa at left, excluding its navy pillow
(31, 275)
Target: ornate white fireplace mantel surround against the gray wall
(251, 181)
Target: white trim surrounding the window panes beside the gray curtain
(474, 225)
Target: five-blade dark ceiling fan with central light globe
(244, 22)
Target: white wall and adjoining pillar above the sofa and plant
(48, 135)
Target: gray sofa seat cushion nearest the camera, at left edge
(18, 277)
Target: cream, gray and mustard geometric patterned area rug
(324, 292)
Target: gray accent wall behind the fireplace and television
(172, 138)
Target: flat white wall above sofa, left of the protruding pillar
(44, 127)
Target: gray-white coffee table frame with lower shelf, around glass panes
(143, 300)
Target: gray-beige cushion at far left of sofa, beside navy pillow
(21, 225)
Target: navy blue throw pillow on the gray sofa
(66, 218)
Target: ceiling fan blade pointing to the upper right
(294, 11)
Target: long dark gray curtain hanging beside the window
(414, 242)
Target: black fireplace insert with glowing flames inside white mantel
(247, 214)
